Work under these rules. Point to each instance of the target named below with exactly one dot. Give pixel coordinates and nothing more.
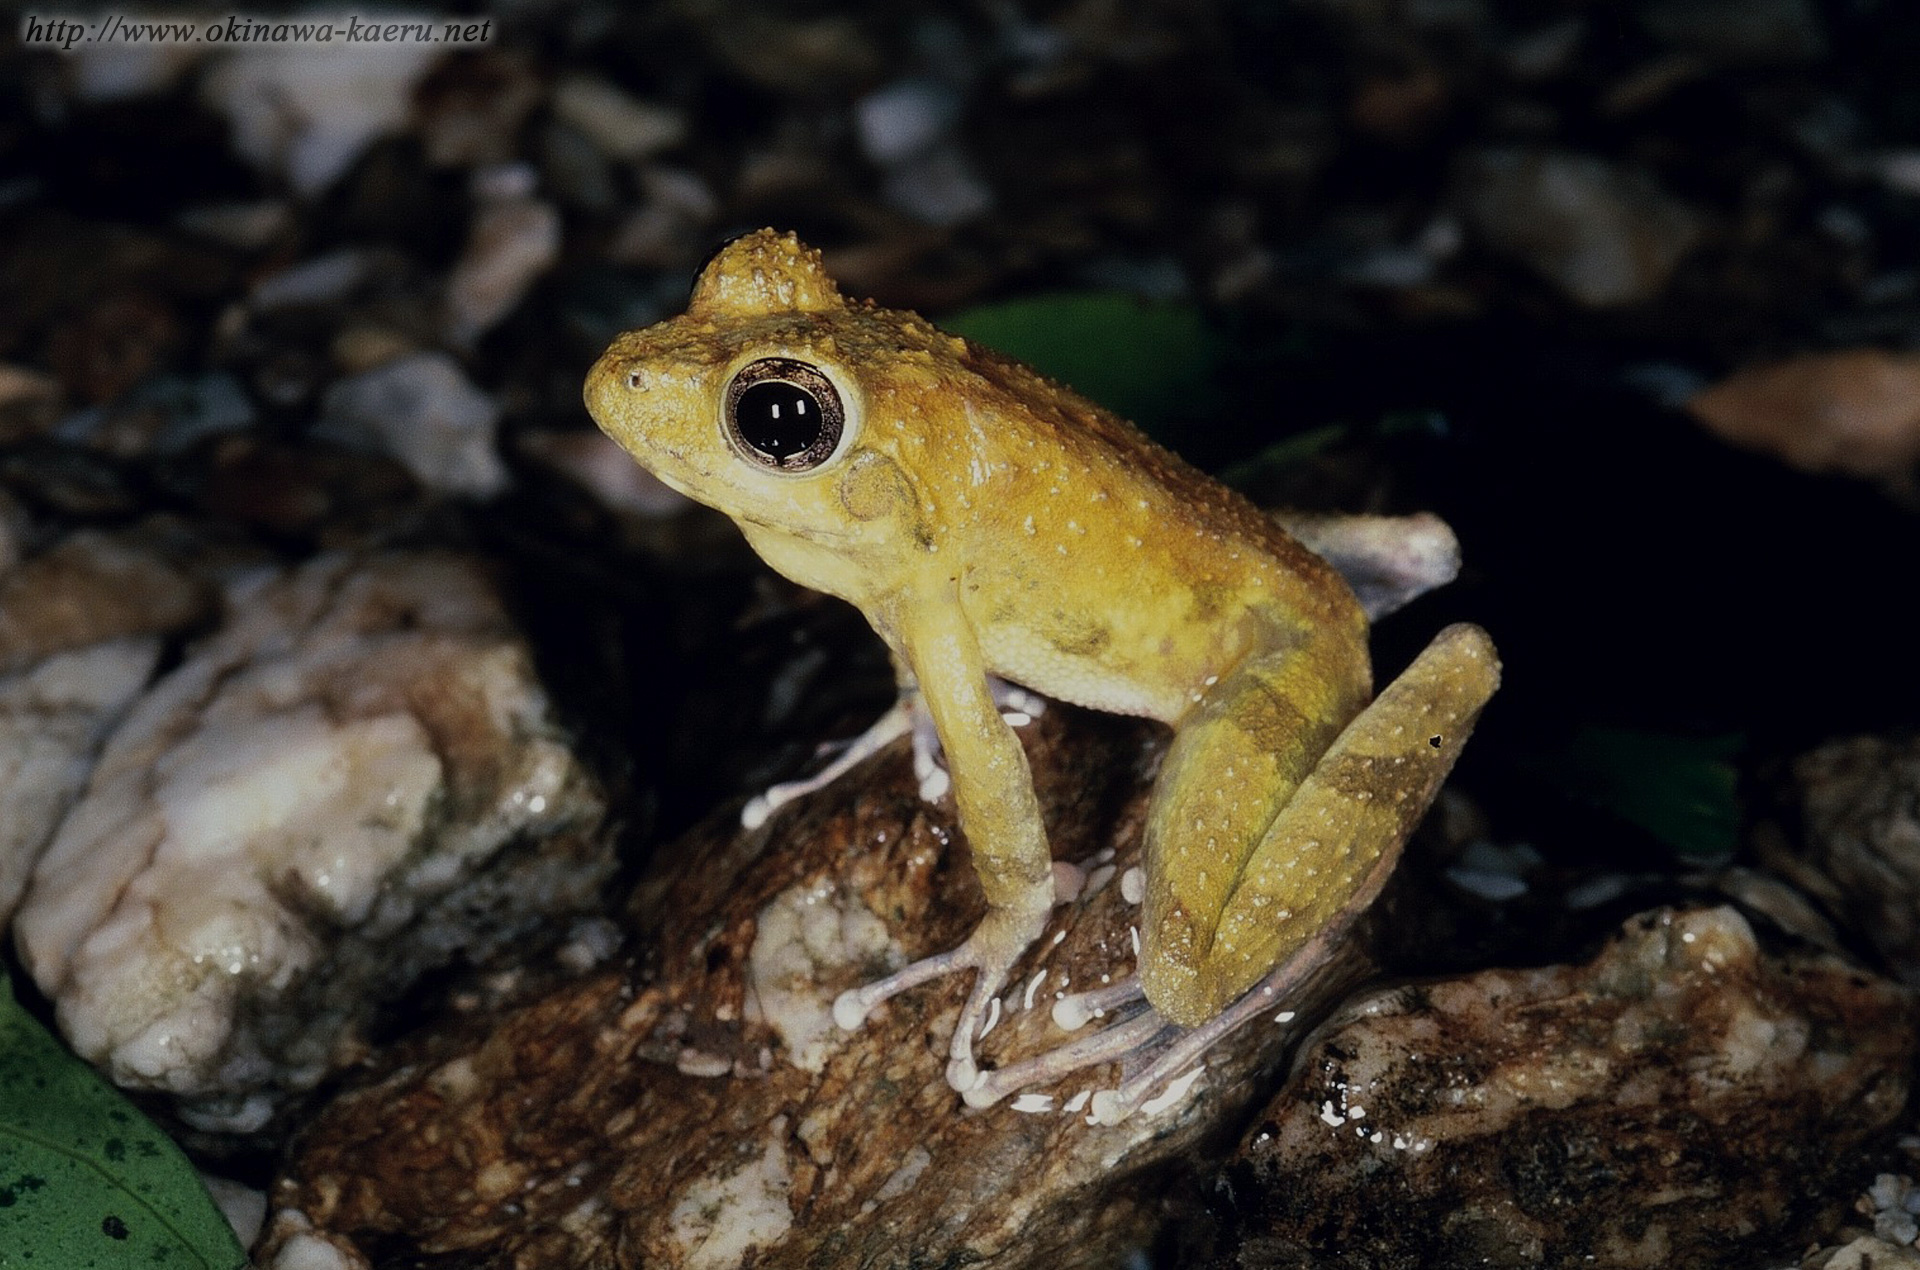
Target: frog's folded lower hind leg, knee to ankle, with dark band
(1318, 858)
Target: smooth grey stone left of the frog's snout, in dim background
(427, 414)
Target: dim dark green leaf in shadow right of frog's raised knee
(1679, 789)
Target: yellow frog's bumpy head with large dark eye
(750, 403)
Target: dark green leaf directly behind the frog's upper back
(1149, 362)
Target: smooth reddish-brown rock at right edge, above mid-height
(1854, 412)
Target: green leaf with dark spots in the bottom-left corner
(85, 1181)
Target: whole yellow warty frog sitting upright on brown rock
(997, 529)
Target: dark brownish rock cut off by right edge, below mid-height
(1860, 843)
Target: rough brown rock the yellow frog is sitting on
(698, 1106)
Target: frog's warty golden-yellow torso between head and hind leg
(1109, 572)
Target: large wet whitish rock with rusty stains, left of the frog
(352, 783)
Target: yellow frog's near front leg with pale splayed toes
(999, 814)
